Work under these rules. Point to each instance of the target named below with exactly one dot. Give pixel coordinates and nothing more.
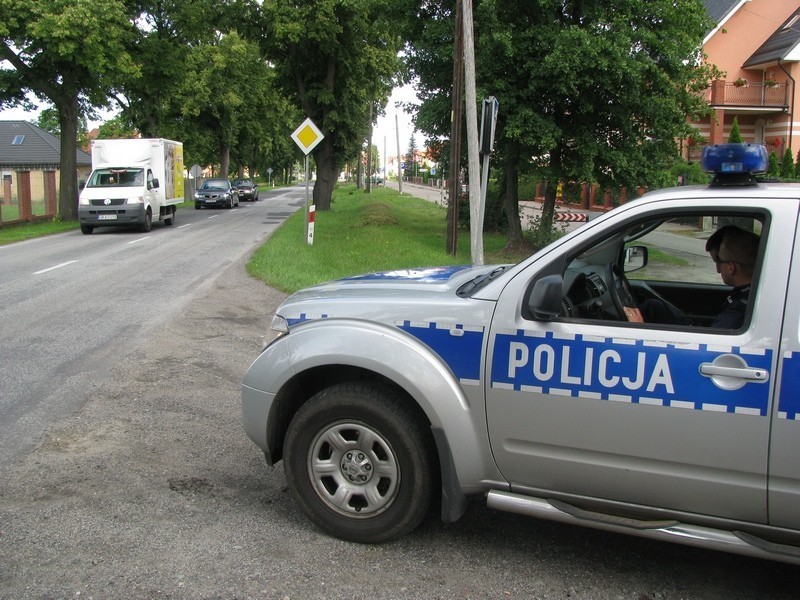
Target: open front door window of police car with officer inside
(691, 270)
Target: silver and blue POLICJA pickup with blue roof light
(549, 389)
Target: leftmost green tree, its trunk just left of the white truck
(71, 53)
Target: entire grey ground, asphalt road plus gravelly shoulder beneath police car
(130, 476)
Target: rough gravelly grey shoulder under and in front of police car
(152, 490)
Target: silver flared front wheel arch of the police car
(391, 357)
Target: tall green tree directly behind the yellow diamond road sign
(338, 59)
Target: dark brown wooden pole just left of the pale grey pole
(454, 187)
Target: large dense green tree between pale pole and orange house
(606, 90)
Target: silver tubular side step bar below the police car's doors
(741, 543)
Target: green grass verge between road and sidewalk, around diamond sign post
(362, 233)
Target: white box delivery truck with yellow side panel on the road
(133, 182)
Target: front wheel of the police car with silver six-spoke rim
(358, 460)
